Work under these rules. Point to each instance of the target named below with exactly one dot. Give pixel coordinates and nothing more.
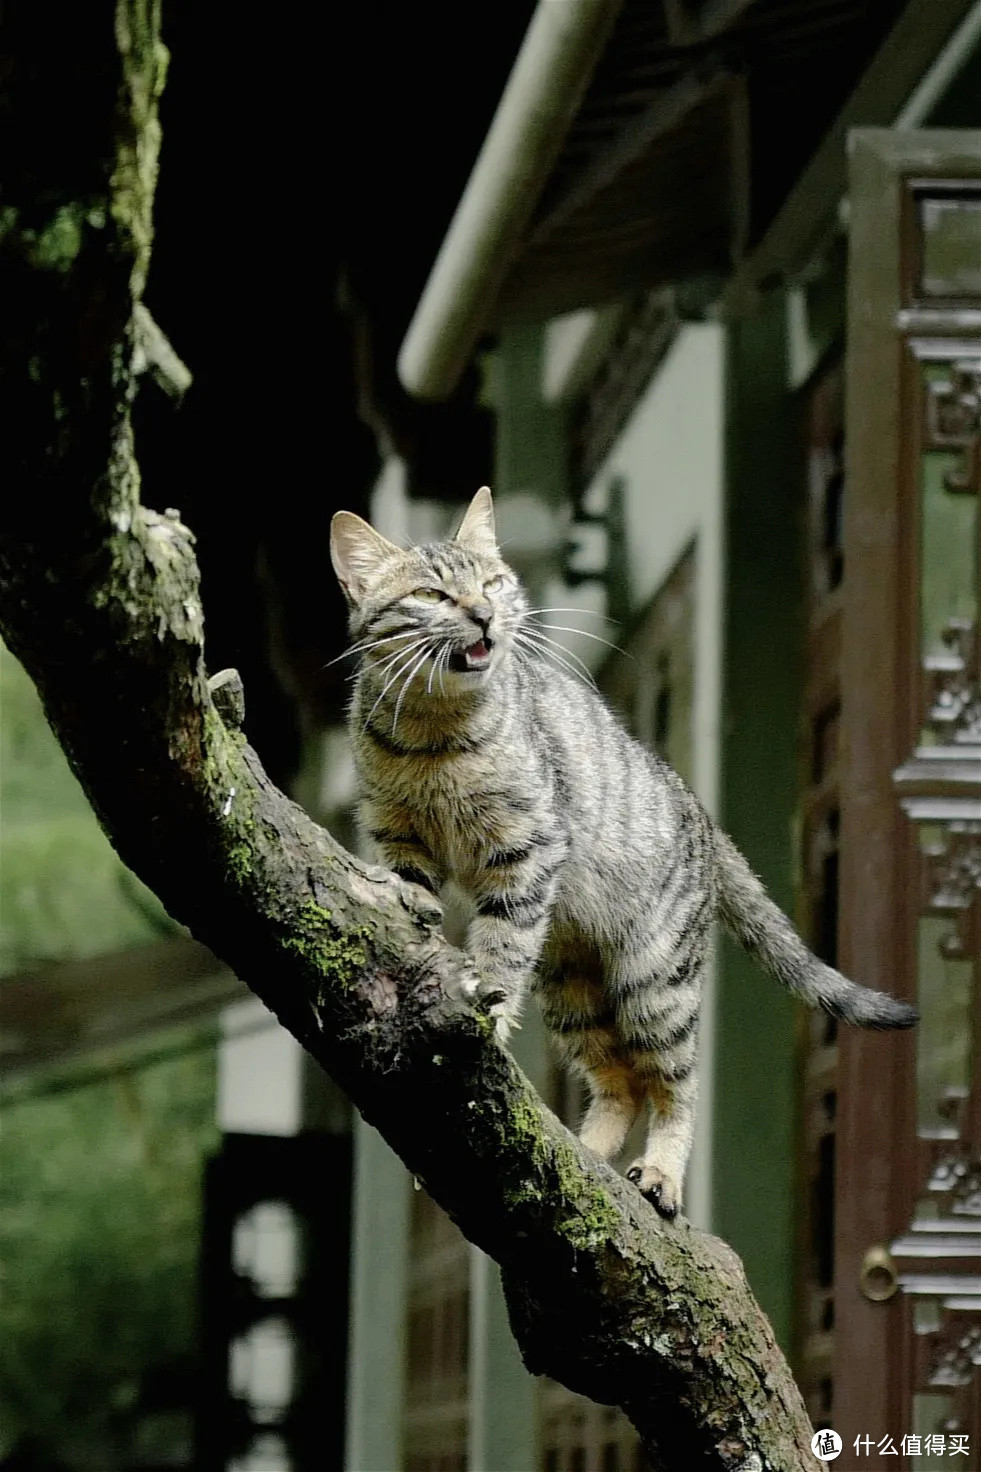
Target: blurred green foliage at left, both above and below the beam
(99, 1180)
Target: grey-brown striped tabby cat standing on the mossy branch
(590, 871)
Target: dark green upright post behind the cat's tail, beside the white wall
(755, 1100)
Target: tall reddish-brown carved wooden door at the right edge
(908, 1208)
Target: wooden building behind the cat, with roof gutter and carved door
(721, 266)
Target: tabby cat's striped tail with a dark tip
(752, 919)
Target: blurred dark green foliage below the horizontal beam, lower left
(99, 1239)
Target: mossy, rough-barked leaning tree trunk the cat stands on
(99, 598)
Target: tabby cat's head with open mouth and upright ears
(451, 607)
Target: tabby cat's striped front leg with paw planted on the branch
(513, 905)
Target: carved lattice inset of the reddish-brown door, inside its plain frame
(939, 1258)
